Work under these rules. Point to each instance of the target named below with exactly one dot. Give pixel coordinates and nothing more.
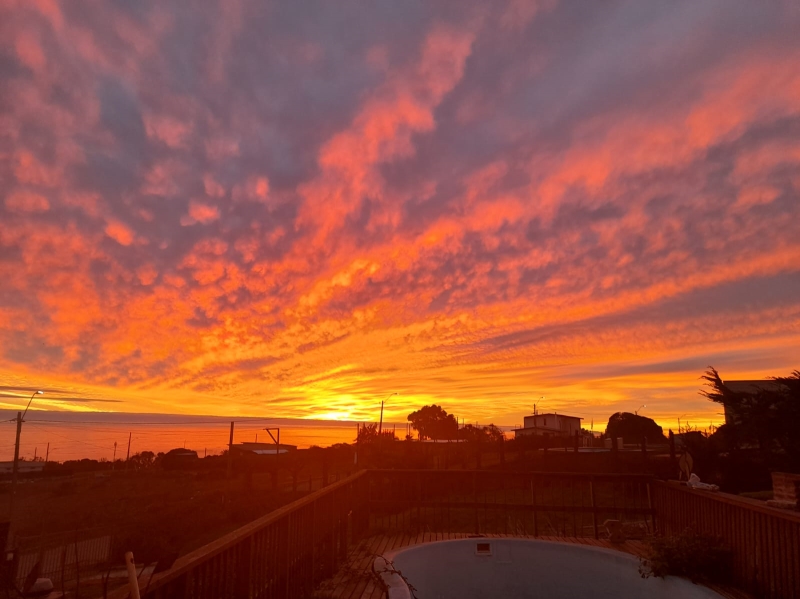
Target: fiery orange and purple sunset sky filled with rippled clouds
(295, 208)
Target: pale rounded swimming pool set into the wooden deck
(521, 569)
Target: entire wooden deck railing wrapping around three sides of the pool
(286, 553)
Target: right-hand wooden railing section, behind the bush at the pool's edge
(765, 541)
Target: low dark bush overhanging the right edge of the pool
(699, 557)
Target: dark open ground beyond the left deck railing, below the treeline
(157, 512)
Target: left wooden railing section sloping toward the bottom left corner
(284, 554)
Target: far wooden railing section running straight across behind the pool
(481, 501)
